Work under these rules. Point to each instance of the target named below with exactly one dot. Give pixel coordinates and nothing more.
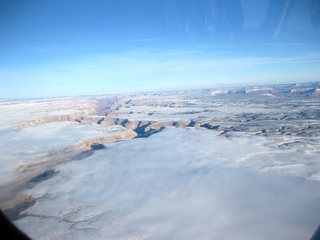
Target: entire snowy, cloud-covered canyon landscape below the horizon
(267, 132)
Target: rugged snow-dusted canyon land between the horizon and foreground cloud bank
(38, 136)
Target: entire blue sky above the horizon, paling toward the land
(58, 48)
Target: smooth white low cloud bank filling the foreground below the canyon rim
(177, 184)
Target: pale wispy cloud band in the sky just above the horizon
(146, 69)
